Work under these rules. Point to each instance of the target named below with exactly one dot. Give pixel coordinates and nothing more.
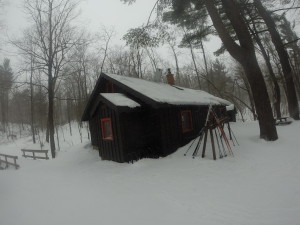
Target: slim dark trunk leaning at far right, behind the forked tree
(293, 105)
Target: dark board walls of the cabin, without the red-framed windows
(147, 133)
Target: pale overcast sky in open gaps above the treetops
(94, 14)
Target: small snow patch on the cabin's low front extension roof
(119, 99)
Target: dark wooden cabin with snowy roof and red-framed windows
(131, 118)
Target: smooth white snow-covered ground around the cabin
(259, 185)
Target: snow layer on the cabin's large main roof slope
(165, 93)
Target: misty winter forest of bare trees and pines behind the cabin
(61, 62)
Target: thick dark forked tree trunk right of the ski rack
(245, 55)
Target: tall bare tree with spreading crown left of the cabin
(53, 36)
